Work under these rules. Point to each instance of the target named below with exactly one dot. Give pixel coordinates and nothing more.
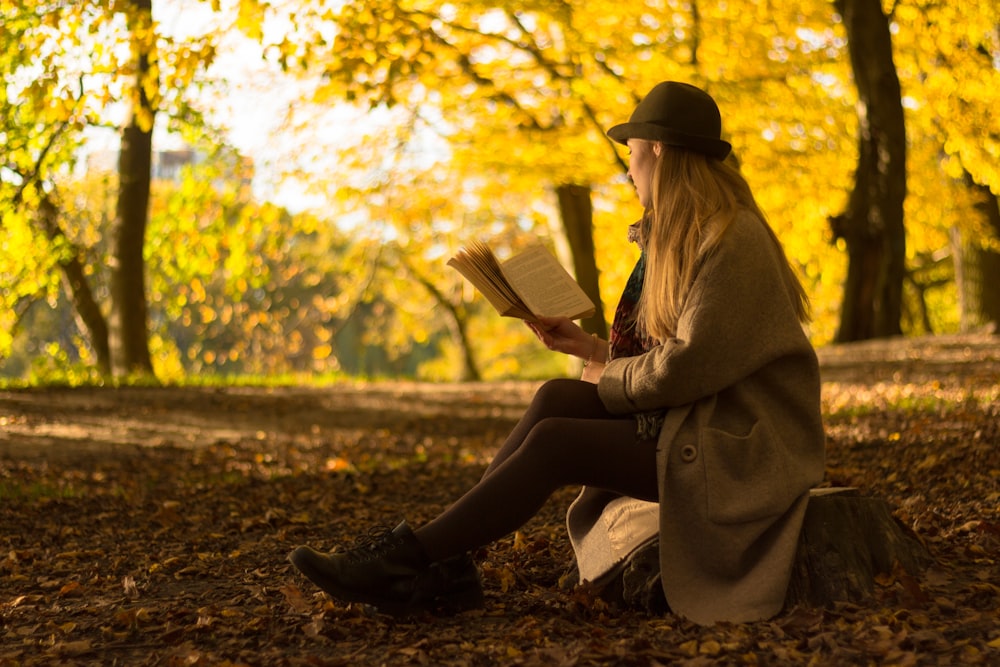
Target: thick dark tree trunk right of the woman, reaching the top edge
(872, 225)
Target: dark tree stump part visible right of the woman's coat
(847, 541)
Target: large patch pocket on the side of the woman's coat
(747, 476)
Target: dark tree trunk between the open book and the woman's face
(577, 214)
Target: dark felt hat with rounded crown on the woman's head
(677, 114)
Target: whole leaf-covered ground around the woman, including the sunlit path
(151, 526)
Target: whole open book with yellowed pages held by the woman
(529, 285)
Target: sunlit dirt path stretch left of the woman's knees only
(58, 422)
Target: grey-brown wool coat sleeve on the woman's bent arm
(739, 316)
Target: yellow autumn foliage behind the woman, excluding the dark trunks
(463, 118)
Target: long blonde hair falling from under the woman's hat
(694, 200)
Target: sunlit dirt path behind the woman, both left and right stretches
(57, 422)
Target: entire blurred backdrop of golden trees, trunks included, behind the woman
(410, 127)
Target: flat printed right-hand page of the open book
(545, 286)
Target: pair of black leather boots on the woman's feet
(389, 570)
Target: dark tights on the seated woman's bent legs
(565, 437)
